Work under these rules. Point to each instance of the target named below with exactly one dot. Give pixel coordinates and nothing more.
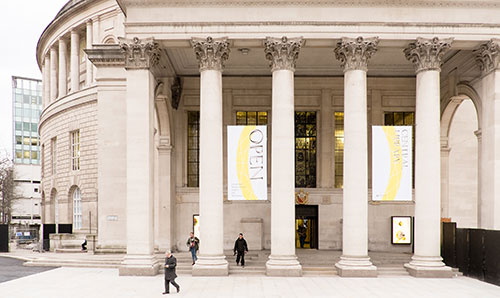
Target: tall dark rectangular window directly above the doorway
(305, 149)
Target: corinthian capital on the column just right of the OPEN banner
(282, 52)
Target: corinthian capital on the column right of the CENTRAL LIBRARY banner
(427, 54)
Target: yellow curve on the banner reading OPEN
(242, 164)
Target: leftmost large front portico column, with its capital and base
(140, 56)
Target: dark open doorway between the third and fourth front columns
(306, 226)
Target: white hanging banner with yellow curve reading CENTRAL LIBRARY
(392, 163)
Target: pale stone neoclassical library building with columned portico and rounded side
(137, 97)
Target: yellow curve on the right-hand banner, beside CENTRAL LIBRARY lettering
(394, 182)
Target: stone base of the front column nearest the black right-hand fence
(432, 267)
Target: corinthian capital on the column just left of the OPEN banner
(211, 53)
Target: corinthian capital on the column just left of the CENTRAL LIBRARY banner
(354, 53)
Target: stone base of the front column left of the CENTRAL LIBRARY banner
(354, 266)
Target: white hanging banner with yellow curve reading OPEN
(247, 162)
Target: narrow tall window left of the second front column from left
(193, 149)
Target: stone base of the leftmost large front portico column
(139, 265)
